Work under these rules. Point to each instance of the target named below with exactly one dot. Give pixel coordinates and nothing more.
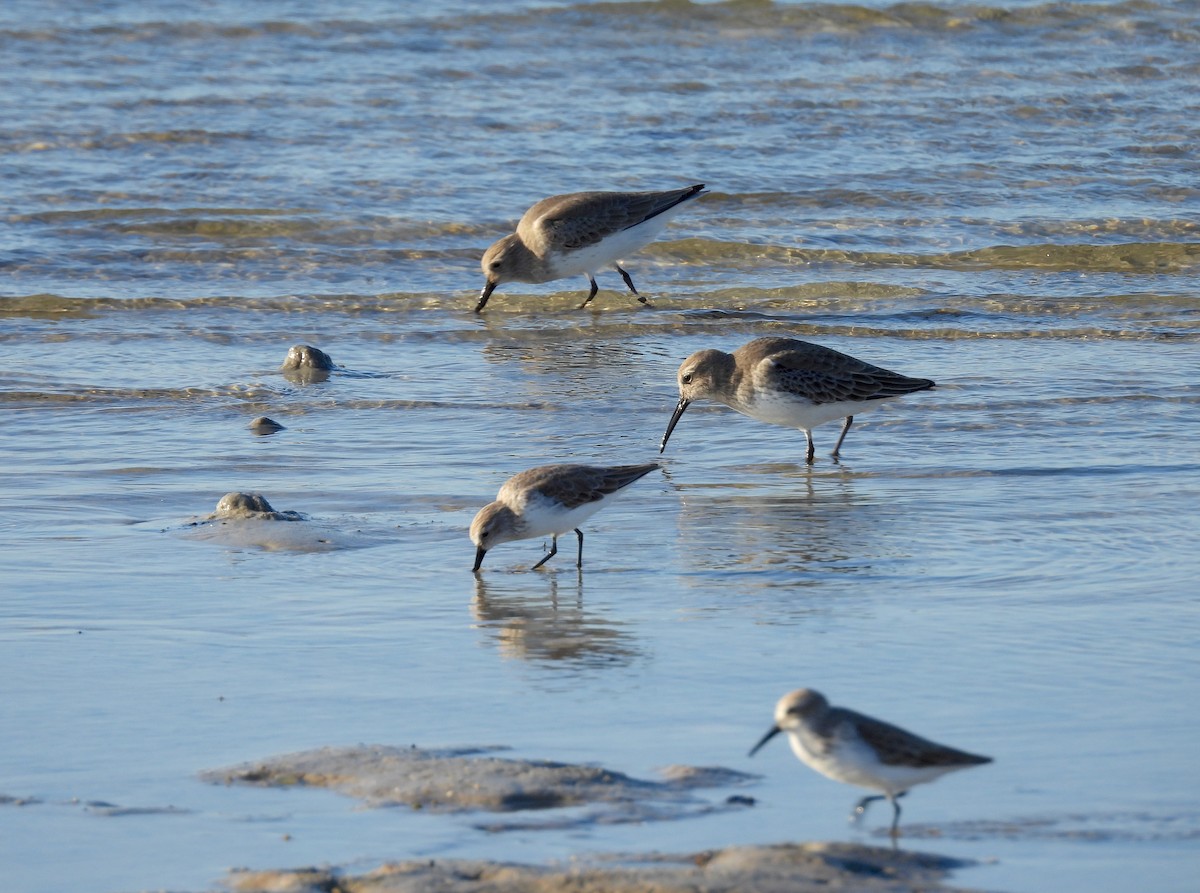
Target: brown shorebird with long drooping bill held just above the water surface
(790, 383)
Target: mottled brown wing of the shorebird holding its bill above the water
(827, 376)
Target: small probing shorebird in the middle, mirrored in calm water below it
(550, 501)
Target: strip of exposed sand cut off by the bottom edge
(784, 868)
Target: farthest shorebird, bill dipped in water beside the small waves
(580, 233)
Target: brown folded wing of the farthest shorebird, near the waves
(583, 219)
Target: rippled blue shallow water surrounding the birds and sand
(1003, 199)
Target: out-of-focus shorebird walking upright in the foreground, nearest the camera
(862, 751)
